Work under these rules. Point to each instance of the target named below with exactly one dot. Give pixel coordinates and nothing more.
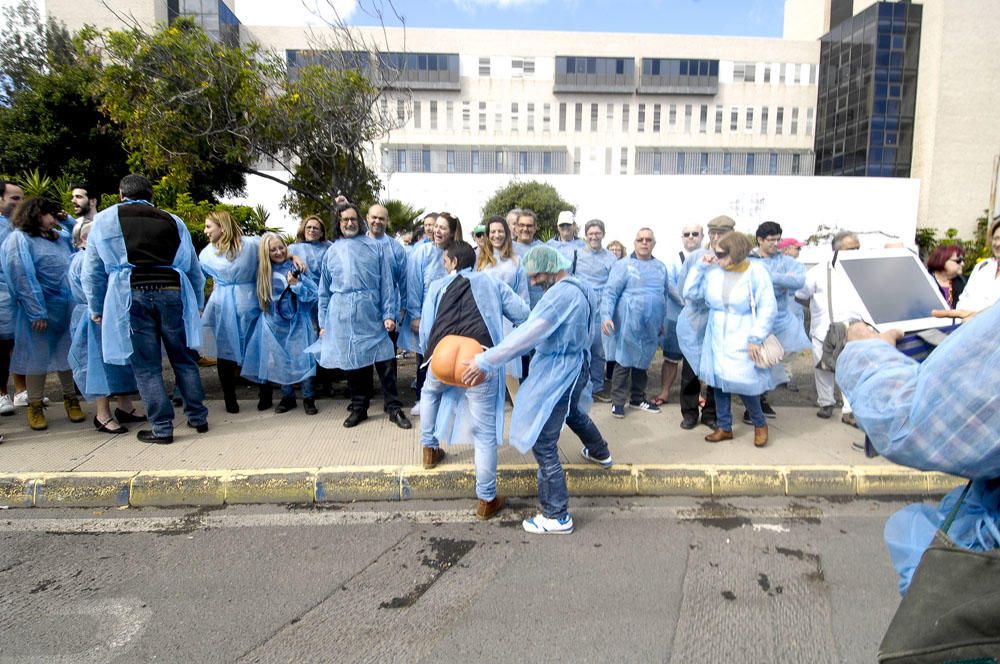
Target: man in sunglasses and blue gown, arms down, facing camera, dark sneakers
(632, 308)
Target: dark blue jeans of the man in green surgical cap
(552, 493)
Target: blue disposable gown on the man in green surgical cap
(560, 329)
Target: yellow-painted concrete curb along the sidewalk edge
(354, 483)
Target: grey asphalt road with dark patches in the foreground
(658, 580)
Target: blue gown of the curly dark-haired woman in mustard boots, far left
(37, 274)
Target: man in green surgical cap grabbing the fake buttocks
(552, 395)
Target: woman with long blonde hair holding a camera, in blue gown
(275, 352)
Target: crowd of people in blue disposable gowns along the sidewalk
(97, 297)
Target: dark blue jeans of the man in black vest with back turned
(157, 318)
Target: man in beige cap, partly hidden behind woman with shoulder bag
(692, 321)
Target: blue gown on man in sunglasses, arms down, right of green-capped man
(634, 300)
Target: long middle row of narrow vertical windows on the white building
(594, 117)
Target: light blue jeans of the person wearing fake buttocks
(482, 410)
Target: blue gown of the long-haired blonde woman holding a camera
(276, 350)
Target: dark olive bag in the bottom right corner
(951, 611)
